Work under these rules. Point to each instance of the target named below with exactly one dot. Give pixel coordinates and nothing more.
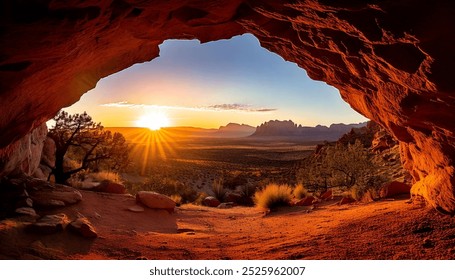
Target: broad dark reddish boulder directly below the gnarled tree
(45, 194)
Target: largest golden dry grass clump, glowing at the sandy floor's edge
(273, 196)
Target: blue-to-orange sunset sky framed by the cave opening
(212, 84)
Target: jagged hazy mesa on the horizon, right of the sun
(276, 128)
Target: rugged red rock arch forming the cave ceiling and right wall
(391, 61)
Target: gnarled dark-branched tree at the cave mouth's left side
(85, 142)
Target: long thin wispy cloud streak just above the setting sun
(213, 108)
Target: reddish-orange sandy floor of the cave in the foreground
(389, 229)
